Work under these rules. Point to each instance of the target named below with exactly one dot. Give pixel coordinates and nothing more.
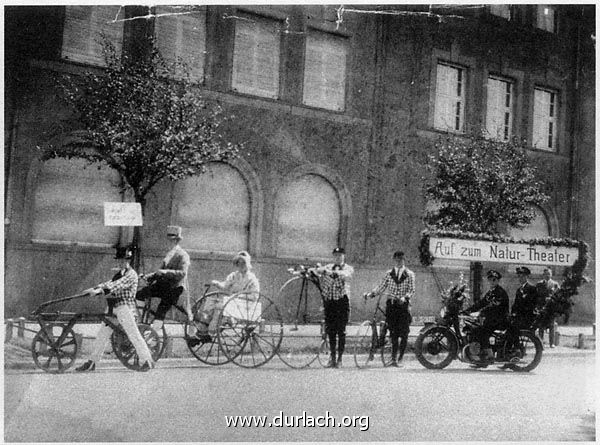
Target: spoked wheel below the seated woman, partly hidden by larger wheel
(201, 340)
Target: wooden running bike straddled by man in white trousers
(54, 347)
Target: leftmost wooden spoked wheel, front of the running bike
(54, 353)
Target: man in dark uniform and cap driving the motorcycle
(493, 308)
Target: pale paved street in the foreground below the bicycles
(184, 401)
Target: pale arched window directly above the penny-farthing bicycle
(308, 218)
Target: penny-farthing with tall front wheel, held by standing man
(304, 320)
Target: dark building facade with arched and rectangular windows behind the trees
(337, 109)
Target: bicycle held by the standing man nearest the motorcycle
(372, 339)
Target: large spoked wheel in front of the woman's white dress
(250, 329)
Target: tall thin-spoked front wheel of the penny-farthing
(302, 315)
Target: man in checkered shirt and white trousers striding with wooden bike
(122, 288)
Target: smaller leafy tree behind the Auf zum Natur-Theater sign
(478, 183)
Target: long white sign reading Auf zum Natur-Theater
(490, 251)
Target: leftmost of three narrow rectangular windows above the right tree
(449, 98)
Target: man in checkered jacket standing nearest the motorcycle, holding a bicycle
(399, 287)
